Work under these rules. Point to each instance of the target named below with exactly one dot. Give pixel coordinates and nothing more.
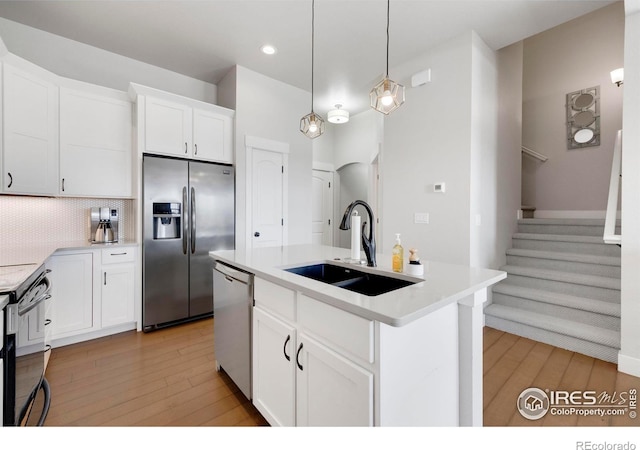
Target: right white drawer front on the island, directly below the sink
(347, 331)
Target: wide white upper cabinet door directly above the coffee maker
(95, 145)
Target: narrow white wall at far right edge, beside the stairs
(629, 357)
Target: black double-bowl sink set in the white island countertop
(351, 279)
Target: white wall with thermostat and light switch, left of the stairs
(427, 141)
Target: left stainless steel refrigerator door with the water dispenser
(166, 265)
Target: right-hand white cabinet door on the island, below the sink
(332, 391)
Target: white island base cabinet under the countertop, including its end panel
(318, 365)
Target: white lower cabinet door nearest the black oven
(72, 291)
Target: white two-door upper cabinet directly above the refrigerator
(179, 126)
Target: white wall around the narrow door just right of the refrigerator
(267, 108)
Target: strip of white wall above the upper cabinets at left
(72, 59)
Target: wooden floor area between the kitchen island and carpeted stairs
(513, 364)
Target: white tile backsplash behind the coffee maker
(30, 220)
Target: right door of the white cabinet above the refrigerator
(211, 136)
